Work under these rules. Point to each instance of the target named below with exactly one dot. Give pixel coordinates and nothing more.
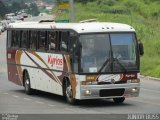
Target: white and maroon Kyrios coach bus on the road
(75, 60)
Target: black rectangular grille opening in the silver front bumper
(111, 92)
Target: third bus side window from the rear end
(24, 39)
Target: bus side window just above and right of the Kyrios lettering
(64, 41)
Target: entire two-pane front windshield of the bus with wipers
(115, 52)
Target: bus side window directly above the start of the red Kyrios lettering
(52, 40)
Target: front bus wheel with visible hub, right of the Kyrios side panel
(69, 95)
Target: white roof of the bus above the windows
(78, 27)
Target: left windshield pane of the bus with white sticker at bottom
(95, 51)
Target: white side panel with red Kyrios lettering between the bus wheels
(39, 66)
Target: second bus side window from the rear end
(15, 39)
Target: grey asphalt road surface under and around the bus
(13, 100)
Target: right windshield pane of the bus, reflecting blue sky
(124, 51)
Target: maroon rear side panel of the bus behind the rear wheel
(13, 75)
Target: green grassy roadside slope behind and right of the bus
(143, 15)
